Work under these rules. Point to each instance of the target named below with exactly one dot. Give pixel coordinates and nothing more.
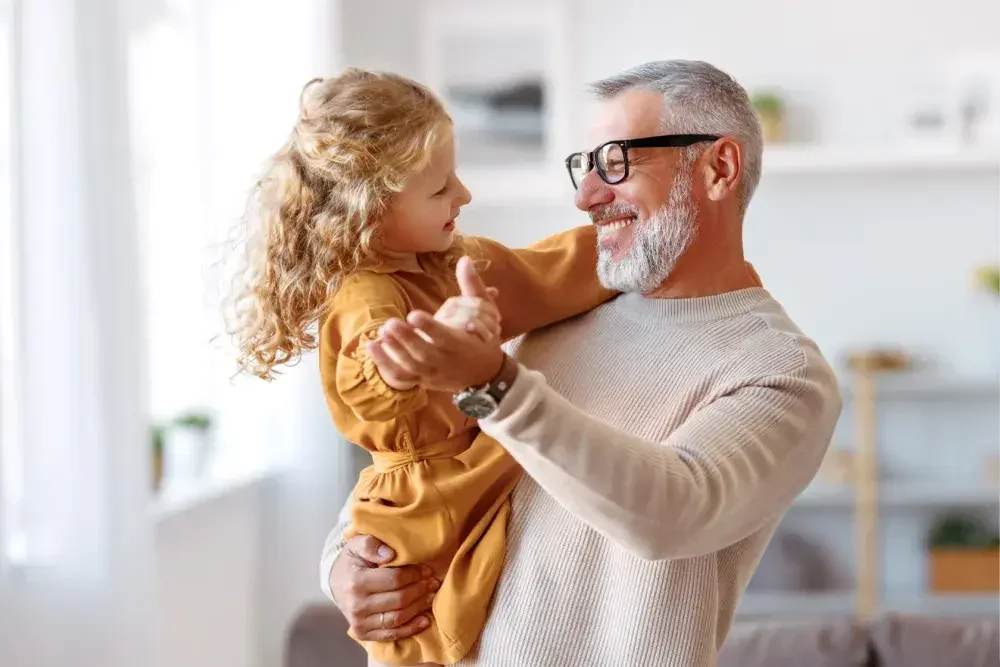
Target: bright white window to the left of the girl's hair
(208, 105)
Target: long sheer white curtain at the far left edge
(75, 544)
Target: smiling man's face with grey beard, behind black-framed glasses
(646, 222)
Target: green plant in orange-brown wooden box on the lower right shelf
(964, 555)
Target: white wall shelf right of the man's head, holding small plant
(813, 158)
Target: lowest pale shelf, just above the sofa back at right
(776, 605)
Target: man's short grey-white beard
(657, 242)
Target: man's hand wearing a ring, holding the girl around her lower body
(381, 604)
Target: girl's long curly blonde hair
(312, 218)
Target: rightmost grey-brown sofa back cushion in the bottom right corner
(901, 640)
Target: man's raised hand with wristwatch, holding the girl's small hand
(443, 358)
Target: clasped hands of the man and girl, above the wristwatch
(457, 347)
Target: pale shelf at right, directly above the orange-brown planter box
(904, 494)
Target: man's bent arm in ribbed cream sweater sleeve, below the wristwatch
(726, 470)
